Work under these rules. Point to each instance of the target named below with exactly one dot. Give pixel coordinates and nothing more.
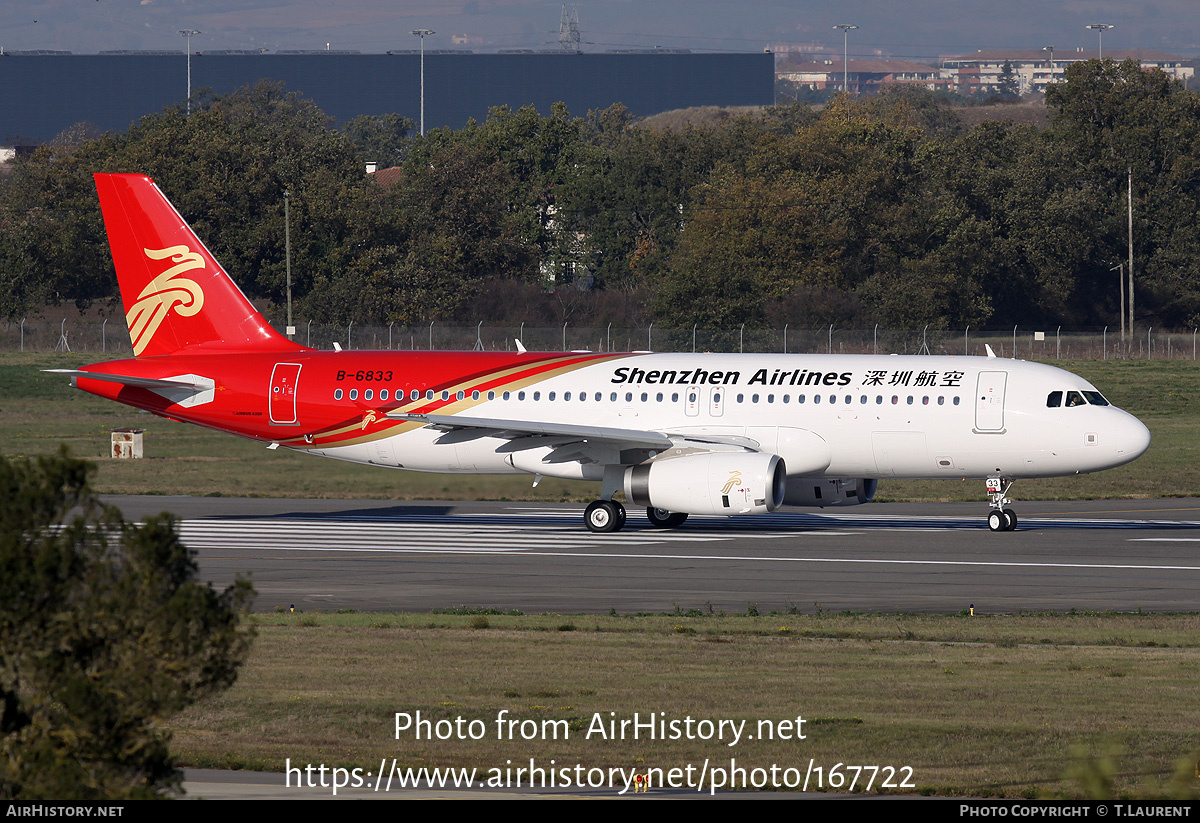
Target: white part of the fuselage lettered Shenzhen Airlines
(826, 416)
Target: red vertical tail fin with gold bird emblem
(176, 295)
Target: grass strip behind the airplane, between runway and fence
(39, 412)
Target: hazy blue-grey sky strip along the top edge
(908, 29)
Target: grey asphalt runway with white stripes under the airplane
(388, 556)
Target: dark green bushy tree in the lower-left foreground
(104, 635)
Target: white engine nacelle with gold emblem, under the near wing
(722, 483)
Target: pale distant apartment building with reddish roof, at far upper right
(1037, 69)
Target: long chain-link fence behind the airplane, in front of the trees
(1029, 344)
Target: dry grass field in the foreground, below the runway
(1027, 706)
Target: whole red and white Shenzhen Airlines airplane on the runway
(679, 434)
